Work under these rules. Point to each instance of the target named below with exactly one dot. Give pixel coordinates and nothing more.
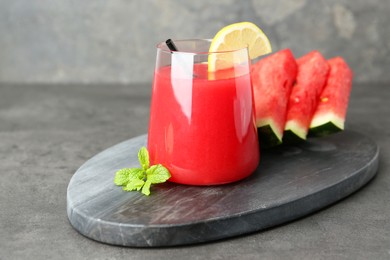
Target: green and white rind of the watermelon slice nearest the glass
(268, 135)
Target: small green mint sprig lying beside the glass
(141, 179)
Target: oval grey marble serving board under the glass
(290, 182)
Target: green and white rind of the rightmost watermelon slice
(326, 124)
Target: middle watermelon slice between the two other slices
(311, 78)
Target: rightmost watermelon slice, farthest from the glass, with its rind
(329, 116)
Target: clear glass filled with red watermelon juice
(202, 123)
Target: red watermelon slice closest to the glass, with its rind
(272, 79)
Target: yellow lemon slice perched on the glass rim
(233, 37)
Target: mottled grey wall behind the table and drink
(104, 41)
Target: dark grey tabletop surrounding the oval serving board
(48, 131)
